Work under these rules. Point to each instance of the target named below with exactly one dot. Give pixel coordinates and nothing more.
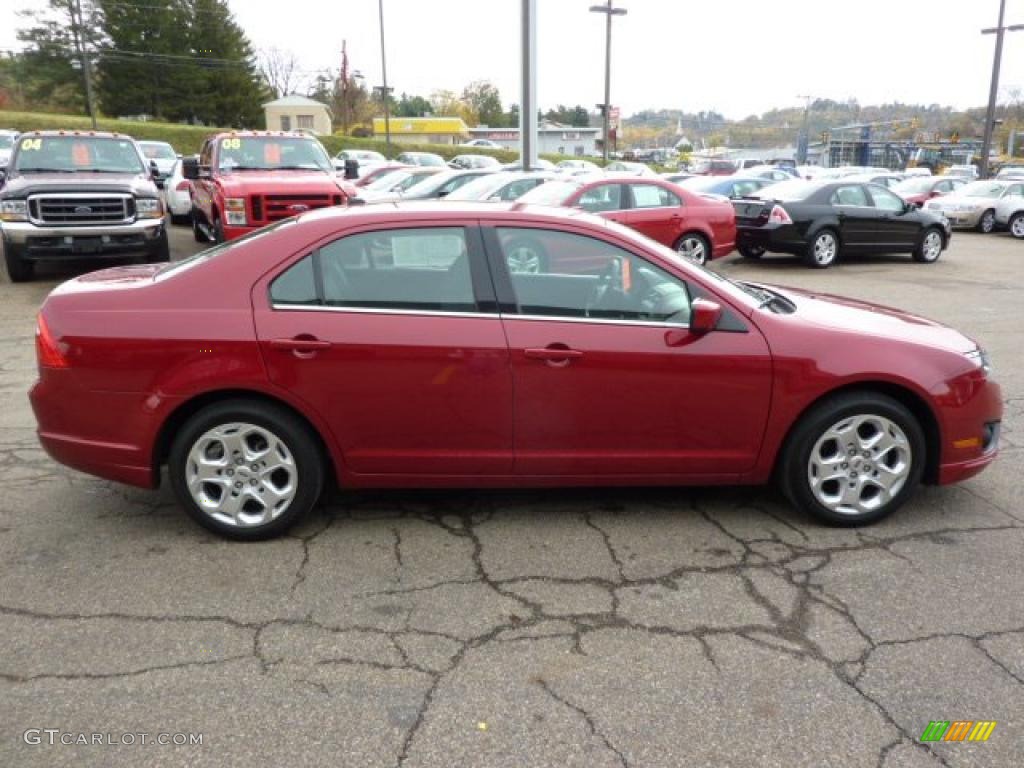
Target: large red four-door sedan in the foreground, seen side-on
(386, 347)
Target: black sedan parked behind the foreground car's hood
(819, 221)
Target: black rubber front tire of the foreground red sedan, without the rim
(812, 434)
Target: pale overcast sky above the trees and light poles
(737, 57)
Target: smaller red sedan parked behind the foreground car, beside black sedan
(700, 228)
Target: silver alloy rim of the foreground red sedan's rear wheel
(242, 475)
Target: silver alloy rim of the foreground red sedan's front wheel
(860, 464)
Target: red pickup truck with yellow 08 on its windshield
(243, 181)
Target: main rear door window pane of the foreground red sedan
(423, 269)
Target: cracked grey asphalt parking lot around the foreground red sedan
(579, 628)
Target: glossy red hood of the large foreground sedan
(845, 315)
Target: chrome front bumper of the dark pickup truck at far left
(46, 243)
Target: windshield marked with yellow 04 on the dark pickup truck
(77, 155)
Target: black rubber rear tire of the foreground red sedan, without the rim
(300, 442)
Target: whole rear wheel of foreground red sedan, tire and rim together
(246, 470)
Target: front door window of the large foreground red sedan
(562, 275)
